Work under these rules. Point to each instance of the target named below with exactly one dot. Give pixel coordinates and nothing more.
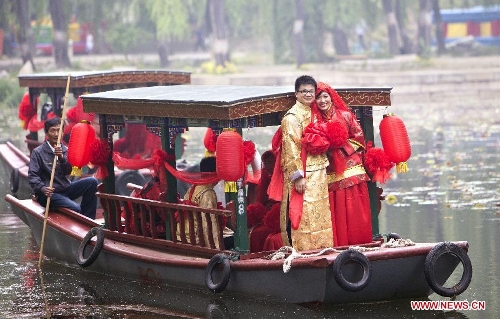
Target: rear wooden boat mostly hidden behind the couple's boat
(15, 161)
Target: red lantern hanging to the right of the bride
(395, 141)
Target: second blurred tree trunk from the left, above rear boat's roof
(60, 35)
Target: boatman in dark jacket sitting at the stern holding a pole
(63, 192)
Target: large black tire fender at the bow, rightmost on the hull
(431, 260)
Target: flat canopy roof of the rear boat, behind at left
(89, 79)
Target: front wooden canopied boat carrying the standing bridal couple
(385, 269)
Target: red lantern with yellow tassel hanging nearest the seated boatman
(79, 147)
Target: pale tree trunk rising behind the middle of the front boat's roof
(220, 45)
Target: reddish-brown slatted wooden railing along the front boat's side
(173, 223)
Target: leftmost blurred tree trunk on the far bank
(25, 36)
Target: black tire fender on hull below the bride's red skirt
(358, 257)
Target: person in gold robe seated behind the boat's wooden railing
(205, 196)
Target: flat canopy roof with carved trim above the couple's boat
(216, 102)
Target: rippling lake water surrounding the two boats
(451, 193)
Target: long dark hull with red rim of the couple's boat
(396, 272)
